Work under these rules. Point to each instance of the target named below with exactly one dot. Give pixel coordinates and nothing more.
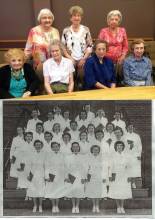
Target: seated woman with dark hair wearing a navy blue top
(99, 70)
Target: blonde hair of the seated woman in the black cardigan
(14, 53)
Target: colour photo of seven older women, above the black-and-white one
(68, 55)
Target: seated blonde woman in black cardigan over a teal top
(17, 79)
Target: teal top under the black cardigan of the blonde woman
(17, 87)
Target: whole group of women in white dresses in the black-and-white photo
(94, 162)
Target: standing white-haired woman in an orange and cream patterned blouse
(40, 38)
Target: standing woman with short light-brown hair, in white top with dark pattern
(77, 39)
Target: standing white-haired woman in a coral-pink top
(116, 38)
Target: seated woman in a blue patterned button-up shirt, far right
(137, 68)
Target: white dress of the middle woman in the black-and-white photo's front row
(75, 165)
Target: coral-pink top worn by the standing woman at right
(117, 45)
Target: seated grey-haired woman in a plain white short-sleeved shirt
(58, 71)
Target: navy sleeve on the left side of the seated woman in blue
(89, 75)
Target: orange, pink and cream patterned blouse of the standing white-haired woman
(38, 44)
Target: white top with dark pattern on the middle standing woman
(77, 42)
